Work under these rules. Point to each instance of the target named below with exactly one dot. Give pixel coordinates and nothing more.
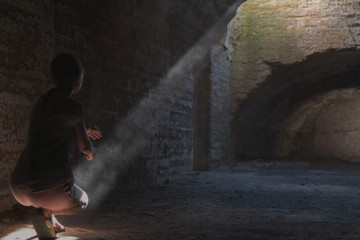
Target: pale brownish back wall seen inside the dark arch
(326, 126)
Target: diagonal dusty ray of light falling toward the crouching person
(135, 131)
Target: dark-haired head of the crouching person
(67, 72)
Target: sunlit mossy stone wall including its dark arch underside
(286, 53)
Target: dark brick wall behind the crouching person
(127, 49)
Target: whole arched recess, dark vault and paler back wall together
(302, 109)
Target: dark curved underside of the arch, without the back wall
(258, 124)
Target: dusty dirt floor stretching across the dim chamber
(244, 203)
